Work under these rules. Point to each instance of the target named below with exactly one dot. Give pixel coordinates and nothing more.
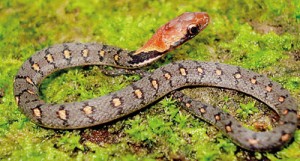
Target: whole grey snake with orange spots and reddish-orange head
(161, 82)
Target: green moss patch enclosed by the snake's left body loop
(80, 84)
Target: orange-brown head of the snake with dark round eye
(175, 32)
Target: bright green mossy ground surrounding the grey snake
(259, 35)
